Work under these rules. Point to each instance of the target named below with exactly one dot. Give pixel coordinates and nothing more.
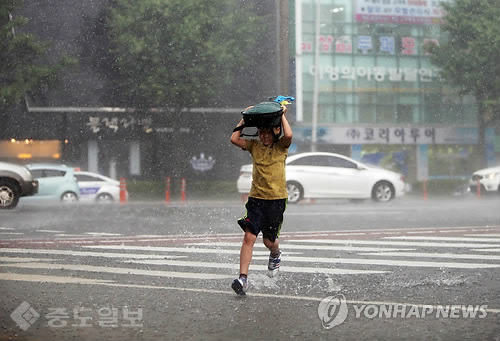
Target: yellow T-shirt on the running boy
(268, 177)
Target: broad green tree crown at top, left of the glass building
(177, 53)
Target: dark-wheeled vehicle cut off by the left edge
(15, 182)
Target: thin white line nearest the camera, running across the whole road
(58, 279)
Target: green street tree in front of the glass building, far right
(469, 58)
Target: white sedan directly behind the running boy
(329, 175)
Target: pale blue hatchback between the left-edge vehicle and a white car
(55, 182)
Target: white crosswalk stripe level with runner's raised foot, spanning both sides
(258, 267)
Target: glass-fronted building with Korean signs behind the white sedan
(378, 96)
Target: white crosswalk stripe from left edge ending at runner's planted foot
(116, 270)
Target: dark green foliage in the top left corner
(20, 69)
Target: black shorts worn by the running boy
(264, 215)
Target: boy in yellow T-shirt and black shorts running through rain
(268, 195)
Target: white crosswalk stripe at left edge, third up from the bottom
(88, 254)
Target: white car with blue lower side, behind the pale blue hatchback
(97, 187)
